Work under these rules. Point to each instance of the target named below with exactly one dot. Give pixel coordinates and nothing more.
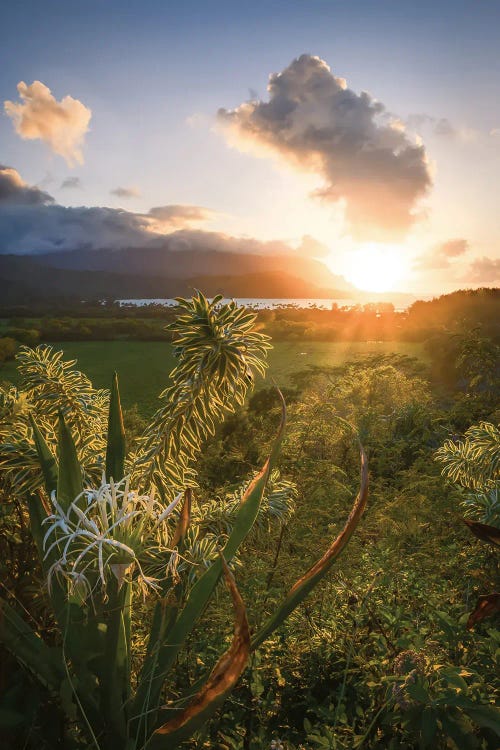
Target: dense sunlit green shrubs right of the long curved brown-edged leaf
(406, 583)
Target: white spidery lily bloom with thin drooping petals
(118, 535)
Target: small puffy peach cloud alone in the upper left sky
(39, 116)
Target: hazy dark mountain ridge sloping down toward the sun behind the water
(151, 273)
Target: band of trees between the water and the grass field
(447, 315)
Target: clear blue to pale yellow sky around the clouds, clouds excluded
(154, 75)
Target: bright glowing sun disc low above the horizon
(377, 268)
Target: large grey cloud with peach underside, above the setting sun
(315, 122)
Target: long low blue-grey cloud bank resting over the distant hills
(31, 222)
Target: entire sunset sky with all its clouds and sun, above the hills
(377, 138)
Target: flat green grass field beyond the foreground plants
(143, 367)
